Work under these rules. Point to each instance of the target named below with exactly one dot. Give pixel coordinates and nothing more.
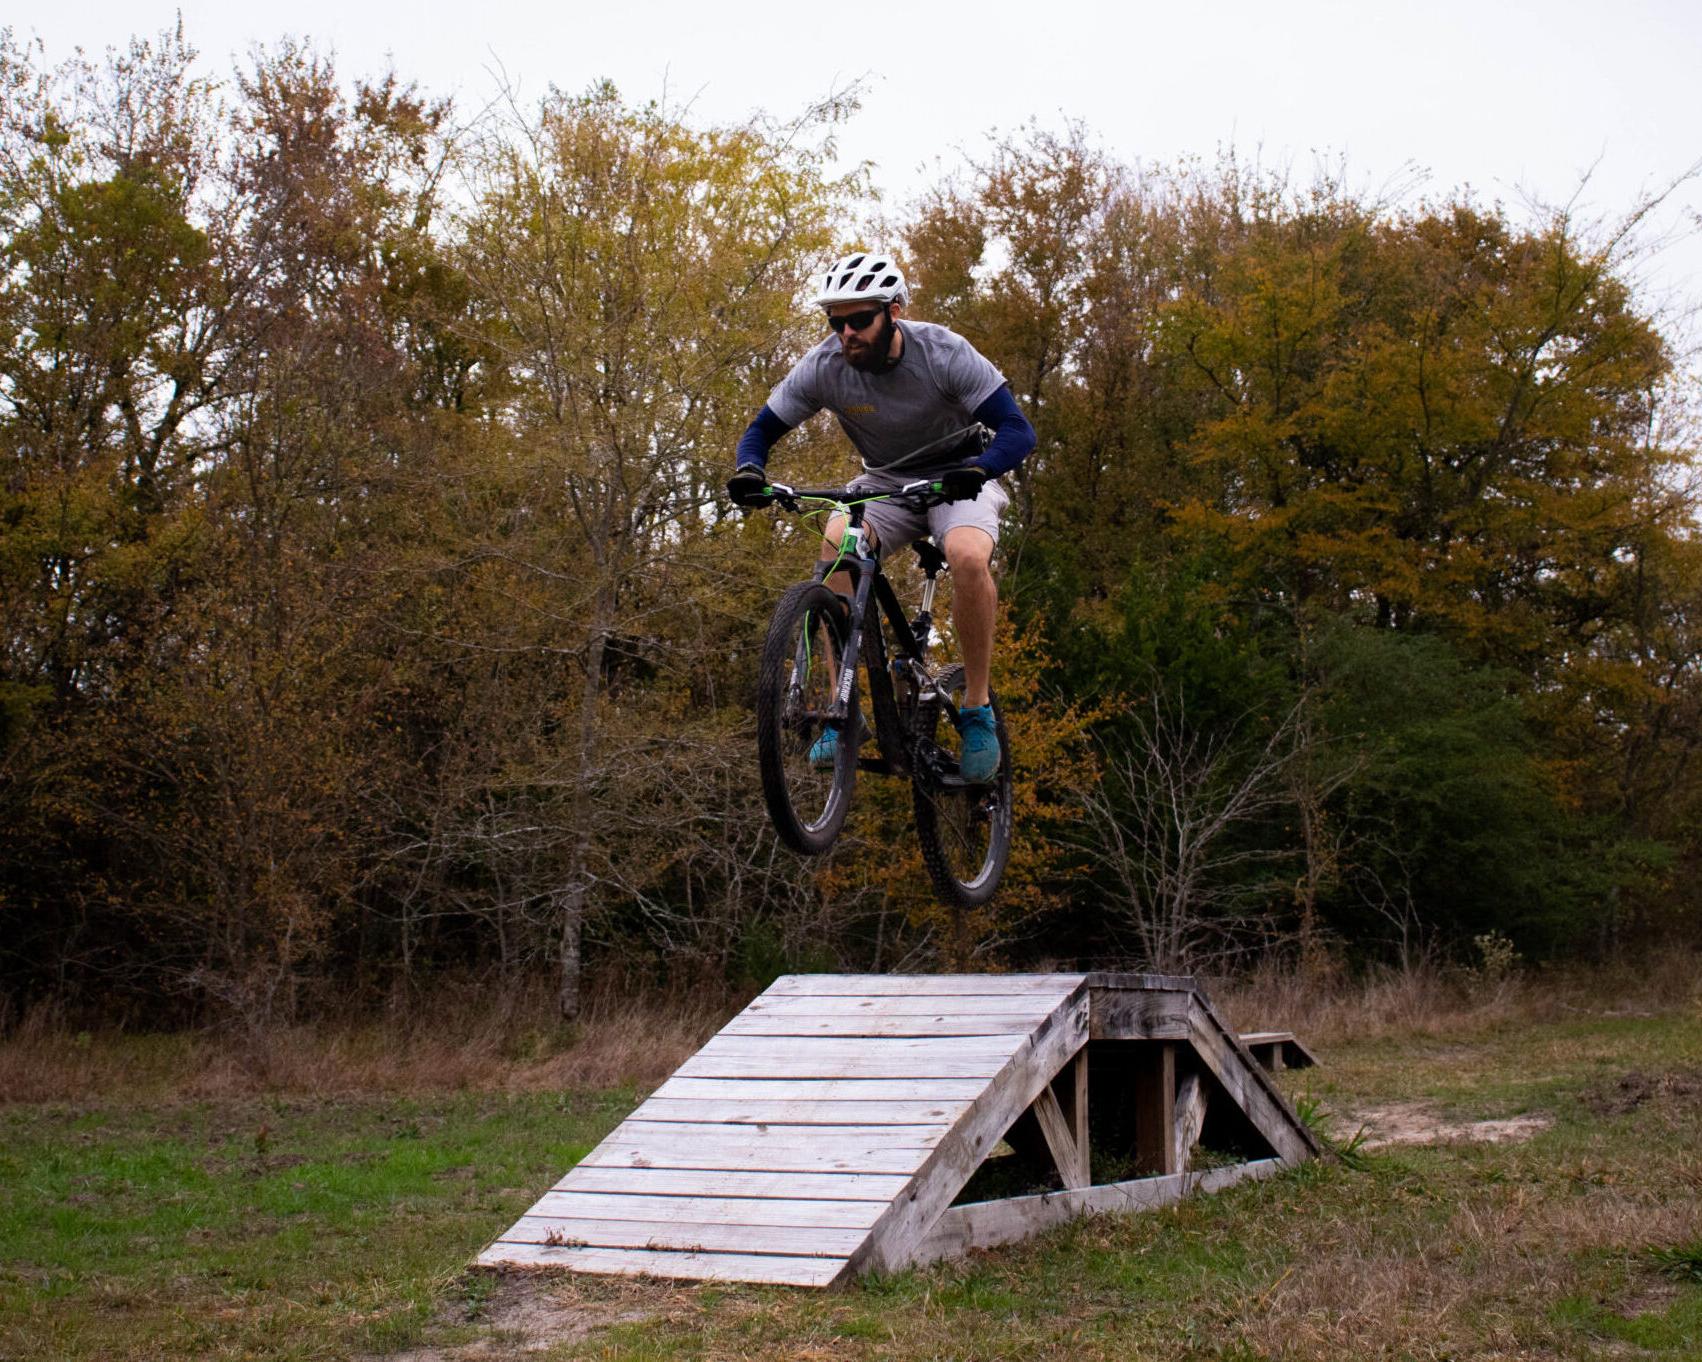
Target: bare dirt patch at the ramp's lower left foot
(528, 1313)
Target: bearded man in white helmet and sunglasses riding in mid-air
(894, 387)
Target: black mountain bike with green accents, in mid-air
(809, 678)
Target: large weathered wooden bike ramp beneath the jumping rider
(830, 1126)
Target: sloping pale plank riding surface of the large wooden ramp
(814, 1107)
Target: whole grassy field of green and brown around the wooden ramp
(168, 1211)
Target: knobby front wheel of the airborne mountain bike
(796, 695)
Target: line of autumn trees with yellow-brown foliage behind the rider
(370, 609)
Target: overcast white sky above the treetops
(1509, 96)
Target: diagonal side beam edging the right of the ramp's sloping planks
(896, 1237)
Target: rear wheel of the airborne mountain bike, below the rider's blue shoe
(964, 830)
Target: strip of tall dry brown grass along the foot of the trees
(471, 1039)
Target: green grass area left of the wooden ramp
(265, 1228)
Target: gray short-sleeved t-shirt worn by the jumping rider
(935, 391)
